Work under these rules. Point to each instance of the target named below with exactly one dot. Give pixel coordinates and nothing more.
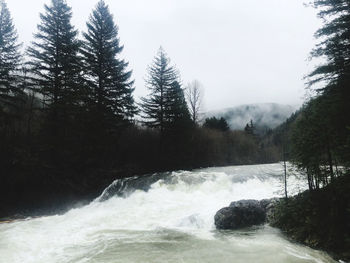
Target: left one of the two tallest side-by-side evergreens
(54, 60)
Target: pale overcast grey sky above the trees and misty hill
(242, 51)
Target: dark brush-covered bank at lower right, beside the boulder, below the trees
(319, 219)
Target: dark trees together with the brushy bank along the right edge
(317, 140)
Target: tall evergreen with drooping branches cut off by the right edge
(334, 73)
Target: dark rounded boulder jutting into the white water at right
(245, 213)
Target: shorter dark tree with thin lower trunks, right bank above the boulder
(312, 142)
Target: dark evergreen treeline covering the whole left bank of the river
(69, 124)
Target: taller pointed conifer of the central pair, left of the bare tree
(161, 79)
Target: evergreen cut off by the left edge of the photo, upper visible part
(10, 59)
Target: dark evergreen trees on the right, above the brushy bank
(321, 136)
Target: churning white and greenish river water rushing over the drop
(161, 218)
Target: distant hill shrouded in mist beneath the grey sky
(264, 115)
